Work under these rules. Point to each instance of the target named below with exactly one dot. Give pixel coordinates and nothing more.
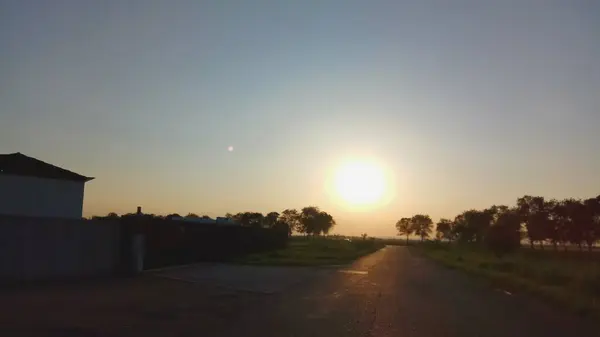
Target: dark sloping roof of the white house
(21, 165)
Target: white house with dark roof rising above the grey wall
(31, 187)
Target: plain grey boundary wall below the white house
(37, 249)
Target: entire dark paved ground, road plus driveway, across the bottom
(389, 293)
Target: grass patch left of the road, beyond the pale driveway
(314, 251)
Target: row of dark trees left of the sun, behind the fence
(309, 220)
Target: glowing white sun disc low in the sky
(360, 183)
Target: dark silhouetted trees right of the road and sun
(541, 221)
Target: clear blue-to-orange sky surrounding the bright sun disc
(467, 104)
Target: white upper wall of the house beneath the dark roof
(32, 196)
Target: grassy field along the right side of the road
(570, 279)
